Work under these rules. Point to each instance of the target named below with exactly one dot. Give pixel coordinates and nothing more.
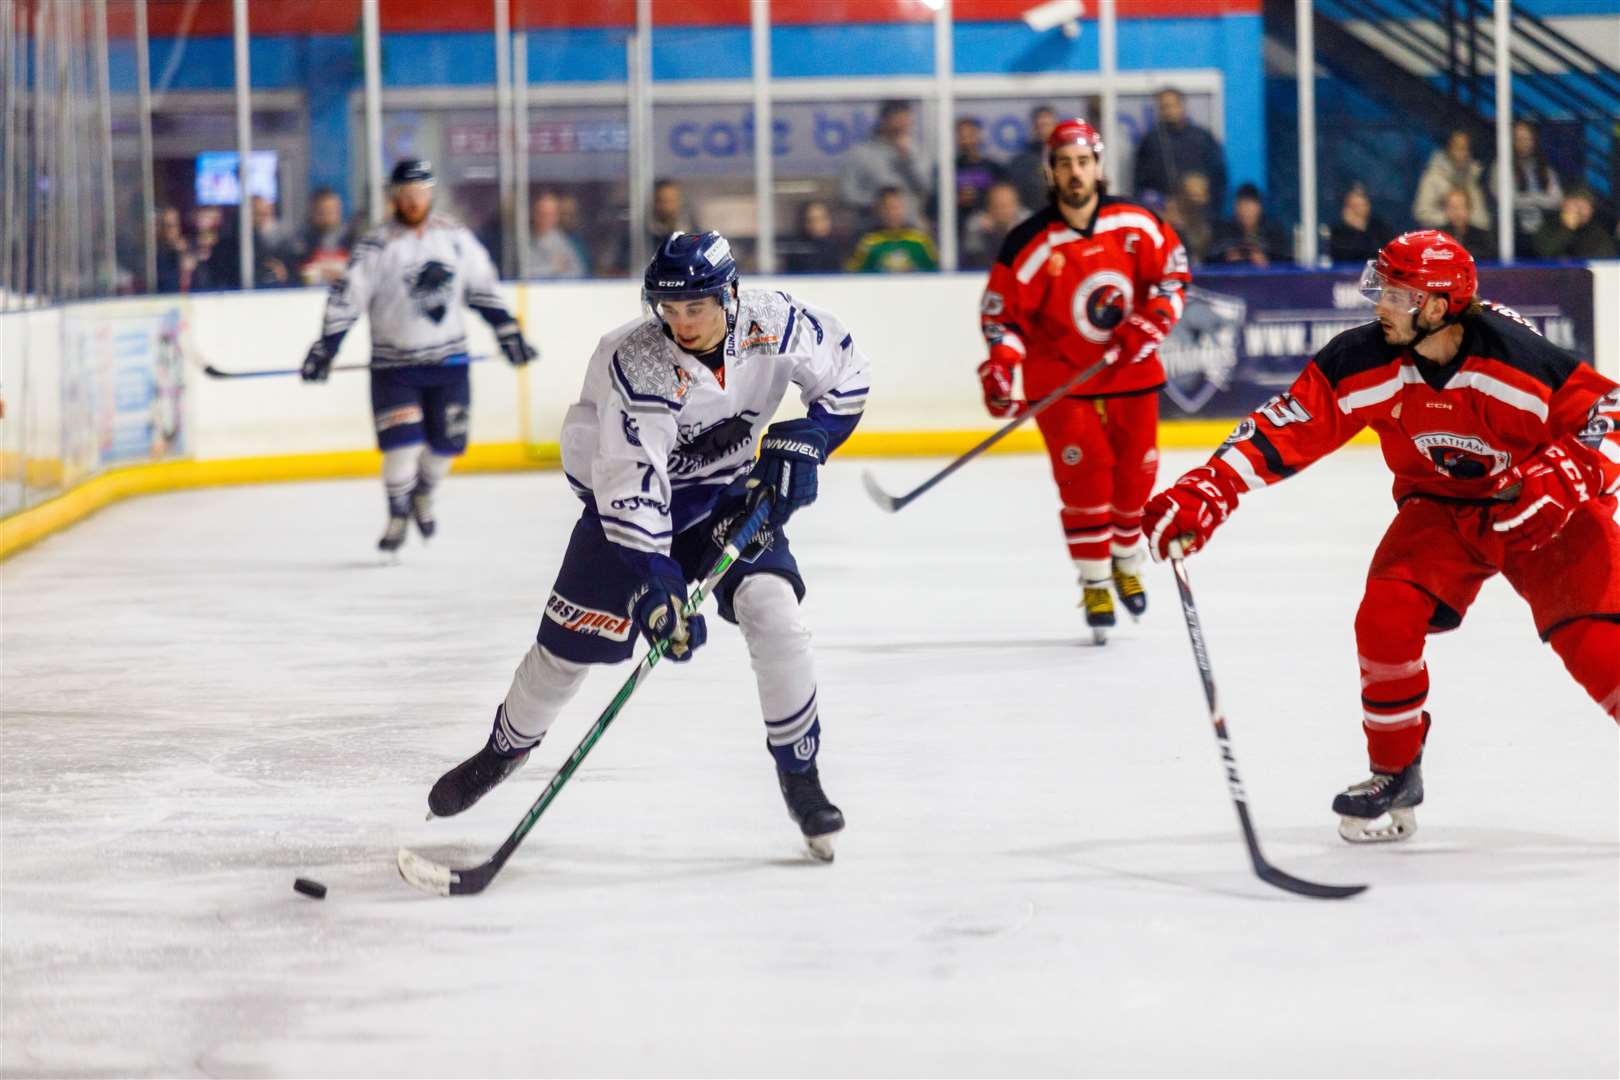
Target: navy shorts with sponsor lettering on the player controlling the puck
(589, 613)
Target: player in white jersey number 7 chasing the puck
(662, 451)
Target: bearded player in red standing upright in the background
(1089, 278)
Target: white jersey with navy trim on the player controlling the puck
(657, 436)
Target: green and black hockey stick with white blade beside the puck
(432, 877)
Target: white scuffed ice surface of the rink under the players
(210, 694)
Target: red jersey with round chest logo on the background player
(1057, 296)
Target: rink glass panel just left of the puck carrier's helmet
(579, 142)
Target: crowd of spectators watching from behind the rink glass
(885, 211)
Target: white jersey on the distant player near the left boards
(414, 289)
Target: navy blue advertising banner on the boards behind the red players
(1247, 336)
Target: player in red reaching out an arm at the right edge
(1506, 453)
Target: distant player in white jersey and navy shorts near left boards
(412, 278)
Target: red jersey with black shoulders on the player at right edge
(1446, 432)
